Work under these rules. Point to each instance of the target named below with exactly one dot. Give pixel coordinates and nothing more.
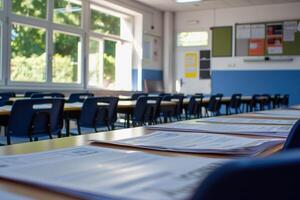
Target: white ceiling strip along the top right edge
(171, 5)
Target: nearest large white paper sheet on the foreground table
(98, 173)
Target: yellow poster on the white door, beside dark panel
(191, 62)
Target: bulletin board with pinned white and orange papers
(268, 38)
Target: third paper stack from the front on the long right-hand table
(258, 130)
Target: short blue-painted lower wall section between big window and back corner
(147, 74)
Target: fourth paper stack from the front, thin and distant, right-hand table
(230, 120)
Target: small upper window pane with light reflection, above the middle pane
(67, 12)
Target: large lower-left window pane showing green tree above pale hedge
(28, 54)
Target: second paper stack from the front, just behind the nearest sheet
(198, 143)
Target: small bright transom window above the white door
(188, 39)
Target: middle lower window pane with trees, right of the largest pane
(66, 58)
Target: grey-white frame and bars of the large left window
(84, 32)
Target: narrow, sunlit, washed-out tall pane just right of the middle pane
(95, 62)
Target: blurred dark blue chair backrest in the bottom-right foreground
(276, 177)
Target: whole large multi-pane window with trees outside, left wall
(45, 44)
